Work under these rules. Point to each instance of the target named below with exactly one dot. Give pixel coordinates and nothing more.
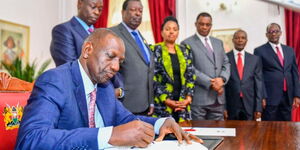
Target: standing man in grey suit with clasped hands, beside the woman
(212, 69)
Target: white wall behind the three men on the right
(251, 15)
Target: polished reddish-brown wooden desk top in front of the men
(252, 135)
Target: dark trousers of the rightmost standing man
(281, 112)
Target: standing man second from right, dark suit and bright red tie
(244, 88)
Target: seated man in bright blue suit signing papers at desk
(73, 106)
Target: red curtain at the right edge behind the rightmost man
(292, 23)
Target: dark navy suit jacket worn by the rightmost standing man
(274, 73)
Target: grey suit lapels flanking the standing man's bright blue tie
(132, 42)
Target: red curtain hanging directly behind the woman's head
(159, 9)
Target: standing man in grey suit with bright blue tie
(137, 68)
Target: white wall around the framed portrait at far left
(41, 16)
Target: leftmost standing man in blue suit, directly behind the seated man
(68, 37)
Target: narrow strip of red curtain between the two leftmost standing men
(102, 21)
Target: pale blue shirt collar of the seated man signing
(87, 83)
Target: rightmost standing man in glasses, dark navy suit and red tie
(280, 74)
